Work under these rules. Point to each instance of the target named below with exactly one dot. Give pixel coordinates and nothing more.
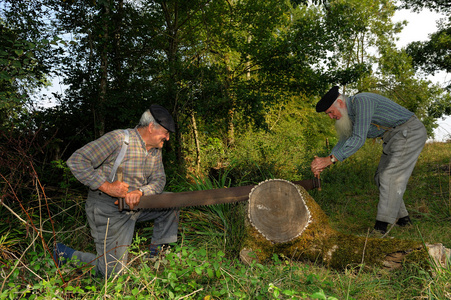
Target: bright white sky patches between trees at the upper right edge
(419, 26)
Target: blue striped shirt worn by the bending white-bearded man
(367, 112)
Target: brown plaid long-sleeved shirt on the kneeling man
(92, 164)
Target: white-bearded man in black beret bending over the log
(368, 115)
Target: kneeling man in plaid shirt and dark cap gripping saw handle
(95, 165)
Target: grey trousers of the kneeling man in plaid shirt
(113, 231)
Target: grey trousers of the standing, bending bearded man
(401, 148)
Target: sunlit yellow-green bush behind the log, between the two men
(284, 150)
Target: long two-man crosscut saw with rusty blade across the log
(204, 197)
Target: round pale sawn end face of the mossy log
(278, 211)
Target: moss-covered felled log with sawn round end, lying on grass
(284, 219)
